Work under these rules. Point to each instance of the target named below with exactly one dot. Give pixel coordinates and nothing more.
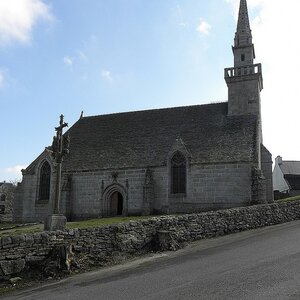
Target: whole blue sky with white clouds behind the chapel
(104, 56)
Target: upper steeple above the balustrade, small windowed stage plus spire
(243, 48)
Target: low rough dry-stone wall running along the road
(98, 246)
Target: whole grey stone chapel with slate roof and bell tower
(174, 160)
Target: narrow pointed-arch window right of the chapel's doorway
(178, 174)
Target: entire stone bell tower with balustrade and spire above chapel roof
(244, 80)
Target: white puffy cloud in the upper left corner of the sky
(18, 17)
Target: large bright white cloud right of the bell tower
(275, 31)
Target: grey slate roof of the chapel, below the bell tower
(145, 138)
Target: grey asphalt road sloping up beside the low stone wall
(258, 264)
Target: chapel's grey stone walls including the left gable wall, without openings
(87, 194)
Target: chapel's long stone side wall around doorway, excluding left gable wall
(208, 187)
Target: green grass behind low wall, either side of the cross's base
(6, 229)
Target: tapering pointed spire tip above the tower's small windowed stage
(243, 34)
